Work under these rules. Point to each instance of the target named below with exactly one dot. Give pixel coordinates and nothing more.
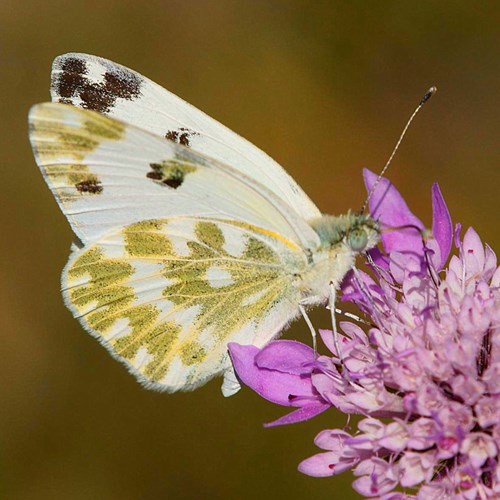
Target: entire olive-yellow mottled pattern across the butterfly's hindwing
(251, 284)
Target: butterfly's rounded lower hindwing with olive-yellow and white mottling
(166, 295)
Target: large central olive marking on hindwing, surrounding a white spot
(224, 310)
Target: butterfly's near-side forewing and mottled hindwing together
(180, 254)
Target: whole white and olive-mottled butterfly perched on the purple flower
(187, 236)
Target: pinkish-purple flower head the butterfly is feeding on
(426, 373)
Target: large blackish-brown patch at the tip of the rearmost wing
(73, 82)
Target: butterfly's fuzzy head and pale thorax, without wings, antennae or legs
(342, 239)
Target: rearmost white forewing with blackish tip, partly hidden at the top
(97, 84)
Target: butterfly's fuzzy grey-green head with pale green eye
(357, 232)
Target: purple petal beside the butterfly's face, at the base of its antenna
(387, 205)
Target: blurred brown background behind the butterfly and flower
(323, 87)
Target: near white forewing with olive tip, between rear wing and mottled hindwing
(106, 174)
